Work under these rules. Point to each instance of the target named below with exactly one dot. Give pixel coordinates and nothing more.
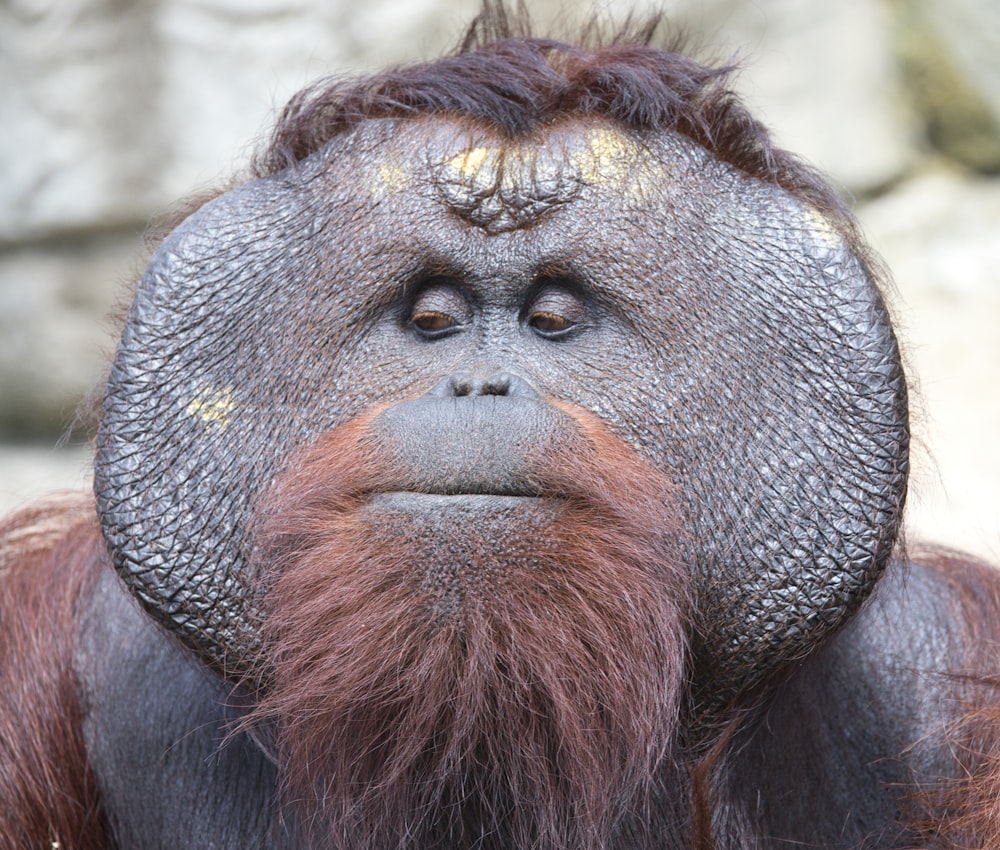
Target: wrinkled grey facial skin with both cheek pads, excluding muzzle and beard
(721, 328)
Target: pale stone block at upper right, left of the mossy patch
(824, 77)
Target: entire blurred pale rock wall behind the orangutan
(110, 110)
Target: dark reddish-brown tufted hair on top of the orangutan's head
(513, 82)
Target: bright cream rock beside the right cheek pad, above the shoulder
(940, 235)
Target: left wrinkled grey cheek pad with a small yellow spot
(202, 405)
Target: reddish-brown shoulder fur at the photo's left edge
(47, 555)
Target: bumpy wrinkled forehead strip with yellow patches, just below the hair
(502, 184)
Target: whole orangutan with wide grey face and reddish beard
(513, 459)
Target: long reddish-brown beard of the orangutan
(481, 671)
